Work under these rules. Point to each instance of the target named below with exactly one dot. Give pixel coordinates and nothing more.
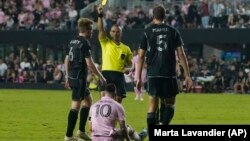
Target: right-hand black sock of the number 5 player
(168, 114)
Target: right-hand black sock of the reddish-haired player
(84, 113)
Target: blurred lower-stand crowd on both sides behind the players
(211, 75)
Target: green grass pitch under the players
(41, 115)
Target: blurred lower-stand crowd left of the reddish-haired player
(27, 68)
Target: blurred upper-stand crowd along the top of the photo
(63, 14)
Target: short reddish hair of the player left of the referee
(84, 24)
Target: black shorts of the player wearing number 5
(162, 87)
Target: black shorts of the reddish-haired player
(79, 89)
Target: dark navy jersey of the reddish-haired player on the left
(78, 49)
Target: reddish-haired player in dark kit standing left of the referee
(76, 62)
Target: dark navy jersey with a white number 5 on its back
(160, 42)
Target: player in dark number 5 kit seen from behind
(160, 42)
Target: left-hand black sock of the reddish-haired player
(72, 118)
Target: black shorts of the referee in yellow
(116, 78)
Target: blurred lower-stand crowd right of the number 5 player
(214, 75)
